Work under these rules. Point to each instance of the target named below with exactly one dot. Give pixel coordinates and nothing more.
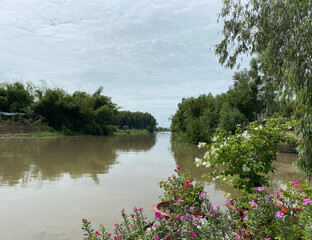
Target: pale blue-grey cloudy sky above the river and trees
(147, 54)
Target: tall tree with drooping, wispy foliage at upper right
(279, 32)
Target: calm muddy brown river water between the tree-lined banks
(47, 185)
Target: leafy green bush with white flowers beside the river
(244, 159)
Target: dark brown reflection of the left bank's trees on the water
(23, 160)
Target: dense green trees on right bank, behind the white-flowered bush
(253, 92)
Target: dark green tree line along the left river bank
(79, 112)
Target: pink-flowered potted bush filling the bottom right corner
(286, 214)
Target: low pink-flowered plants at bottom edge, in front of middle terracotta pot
(211, 224)
